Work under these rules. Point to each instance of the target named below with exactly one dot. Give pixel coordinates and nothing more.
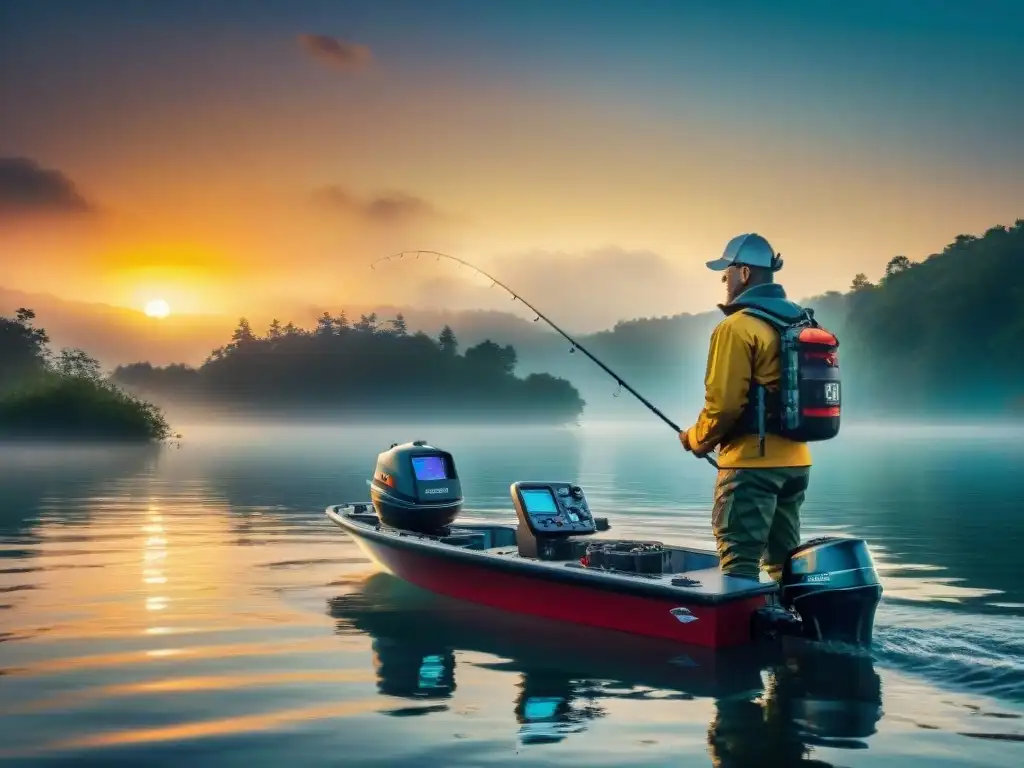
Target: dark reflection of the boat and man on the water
(808, 698)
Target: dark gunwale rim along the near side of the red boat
(528, 568)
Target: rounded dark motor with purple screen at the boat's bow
(416, 488)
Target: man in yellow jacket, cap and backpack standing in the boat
(756, 410)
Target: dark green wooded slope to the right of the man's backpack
(943, 335)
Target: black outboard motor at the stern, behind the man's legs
(832, 584)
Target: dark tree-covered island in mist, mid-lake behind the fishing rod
(366, 369)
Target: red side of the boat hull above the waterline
(714, 626)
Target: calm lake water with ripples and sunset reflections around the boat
(194, 606)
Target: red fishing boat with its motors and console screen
(558, 561)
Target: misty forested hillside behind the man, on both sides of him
(930, 339)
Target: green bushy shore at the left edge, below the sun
(65, 397)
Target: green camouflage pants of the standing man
(756, 518)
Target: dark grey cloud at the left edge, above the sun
(28, 188)
